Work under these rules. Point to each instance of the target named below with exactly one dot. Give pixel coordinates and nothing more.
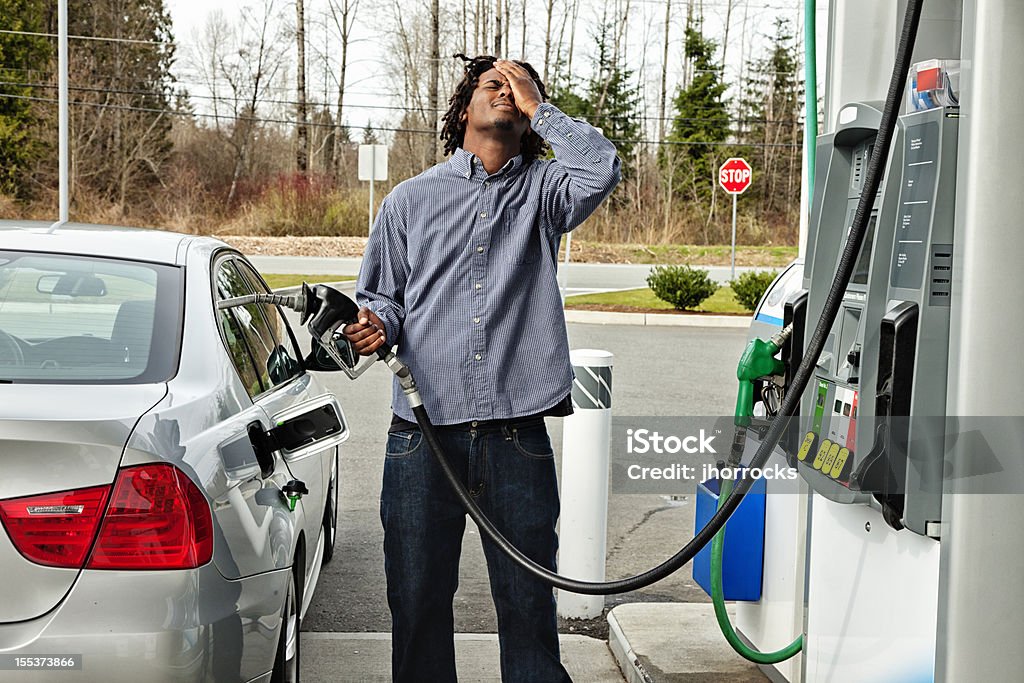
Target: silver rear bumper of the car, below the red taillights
(145, 627)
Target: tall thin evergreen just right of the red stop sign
(771, 109)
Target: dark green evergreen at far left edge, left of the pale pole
(23, 61)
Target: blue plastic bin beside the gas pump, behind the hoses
(743, 557)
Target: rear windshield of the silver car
(78, 320)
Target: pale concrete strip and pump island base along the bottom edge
(648, 644)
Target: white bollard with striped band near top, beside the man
(586, 444)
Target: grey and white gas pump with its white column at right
(878, 563)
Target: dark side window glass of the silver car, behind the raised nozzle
(262, 361)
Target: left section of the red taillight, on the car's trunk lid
(56, 530)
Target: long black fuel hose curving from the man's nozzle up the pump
(791, 404)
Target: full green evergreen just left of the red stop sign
(702, 117)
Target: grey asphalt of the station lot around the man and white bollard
(658, 372)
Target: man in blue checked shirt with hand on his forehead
(460, 274)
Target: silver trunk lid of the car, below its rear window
(59, 439)
